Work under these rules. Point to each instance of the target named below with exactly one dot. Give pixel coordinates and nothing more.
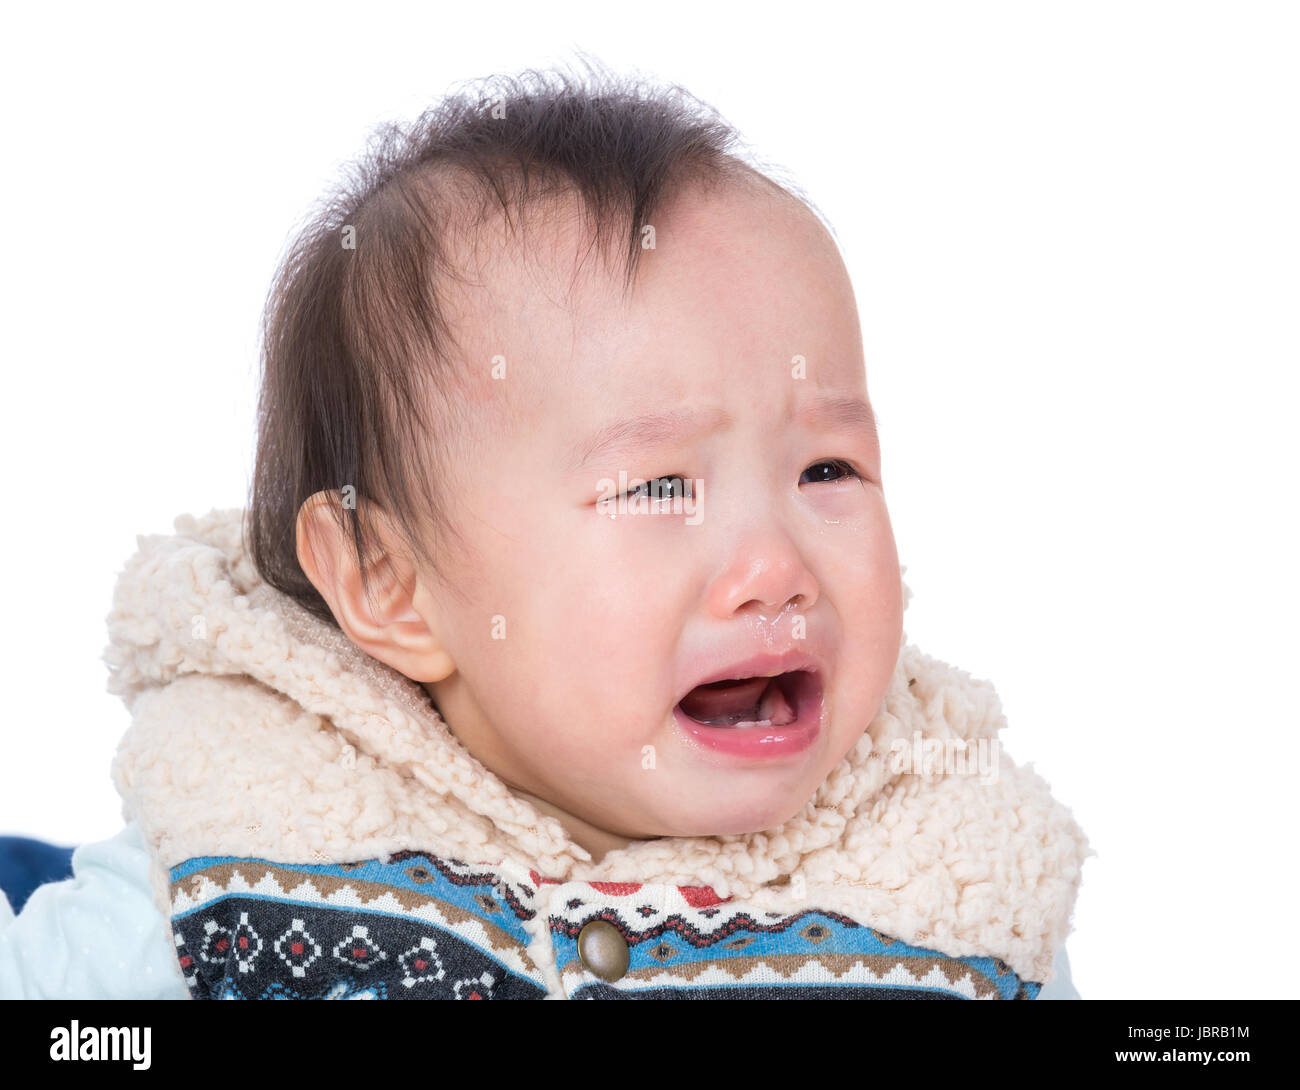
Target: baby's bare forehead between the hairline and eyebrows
(739, 279)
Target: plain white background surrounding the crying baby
(1074, 232)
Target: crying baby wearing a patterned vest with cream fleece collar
(561, 652)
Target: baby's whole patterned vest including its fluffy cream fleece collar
(317, 831)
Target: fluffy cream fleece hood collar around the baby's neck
(259, 730)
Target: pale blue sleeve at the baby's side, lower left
(96, 936)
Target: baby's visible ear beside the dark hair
(396, 621)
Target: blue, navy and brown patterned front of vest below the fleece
(418, 927)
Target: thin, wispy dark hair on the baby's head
(356, 341)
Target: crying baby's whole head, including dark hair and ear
(565, 416)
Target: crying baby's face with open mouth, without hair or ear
(582, 634)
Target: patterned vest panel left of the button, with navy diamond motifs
(411, 927)
